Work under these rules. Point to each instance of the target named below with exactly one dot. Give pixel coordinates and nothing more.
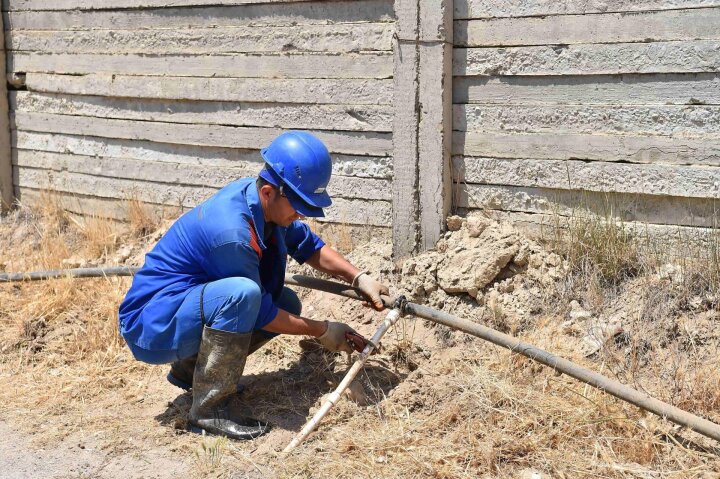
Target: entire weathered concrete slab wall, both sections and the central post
(528, 107)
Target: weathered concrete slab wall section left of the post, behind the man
(168, 100)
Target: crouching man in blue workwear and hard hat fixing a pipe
(212, 291)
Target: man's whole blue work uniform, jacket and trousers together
(220, 252)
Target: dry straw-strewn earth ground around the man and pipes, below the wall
(434, 403)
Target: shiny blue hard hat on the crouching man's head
(301, 161)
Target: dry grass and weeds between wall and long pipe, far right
(667, 297)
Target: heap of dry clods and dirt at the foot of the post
(483, 270)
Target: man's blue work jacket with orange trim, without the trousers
(220, 238)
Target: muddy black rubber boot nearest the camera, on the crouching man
(219, 366)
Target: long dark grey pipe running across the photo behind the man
(617, 389)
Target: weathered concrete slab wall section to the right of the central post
(612, 106)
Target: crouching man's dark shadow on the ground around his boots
(286, 396)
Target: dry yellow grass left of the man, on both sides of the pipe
(60, 343)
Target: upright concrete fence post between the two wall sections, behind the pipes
(422, 125)
